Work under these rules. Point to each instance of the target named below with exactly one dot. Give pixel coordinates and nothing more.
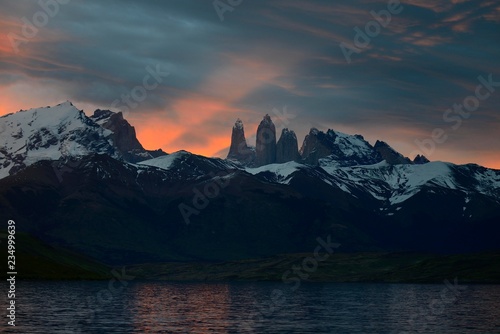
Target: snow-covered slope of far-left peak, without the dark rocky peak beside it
(48, 133)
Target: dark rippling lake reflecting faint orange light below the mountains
(162, 307)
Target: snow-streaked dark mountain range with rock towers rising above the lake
(85, 183)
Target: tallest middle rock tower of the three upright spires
(265, 150)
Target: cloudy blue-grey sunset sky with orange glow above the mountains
(425, 78)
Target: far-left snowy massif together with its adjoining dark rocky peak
(63, 131)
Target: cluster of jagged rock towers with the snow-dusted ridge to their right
(334, 146)
